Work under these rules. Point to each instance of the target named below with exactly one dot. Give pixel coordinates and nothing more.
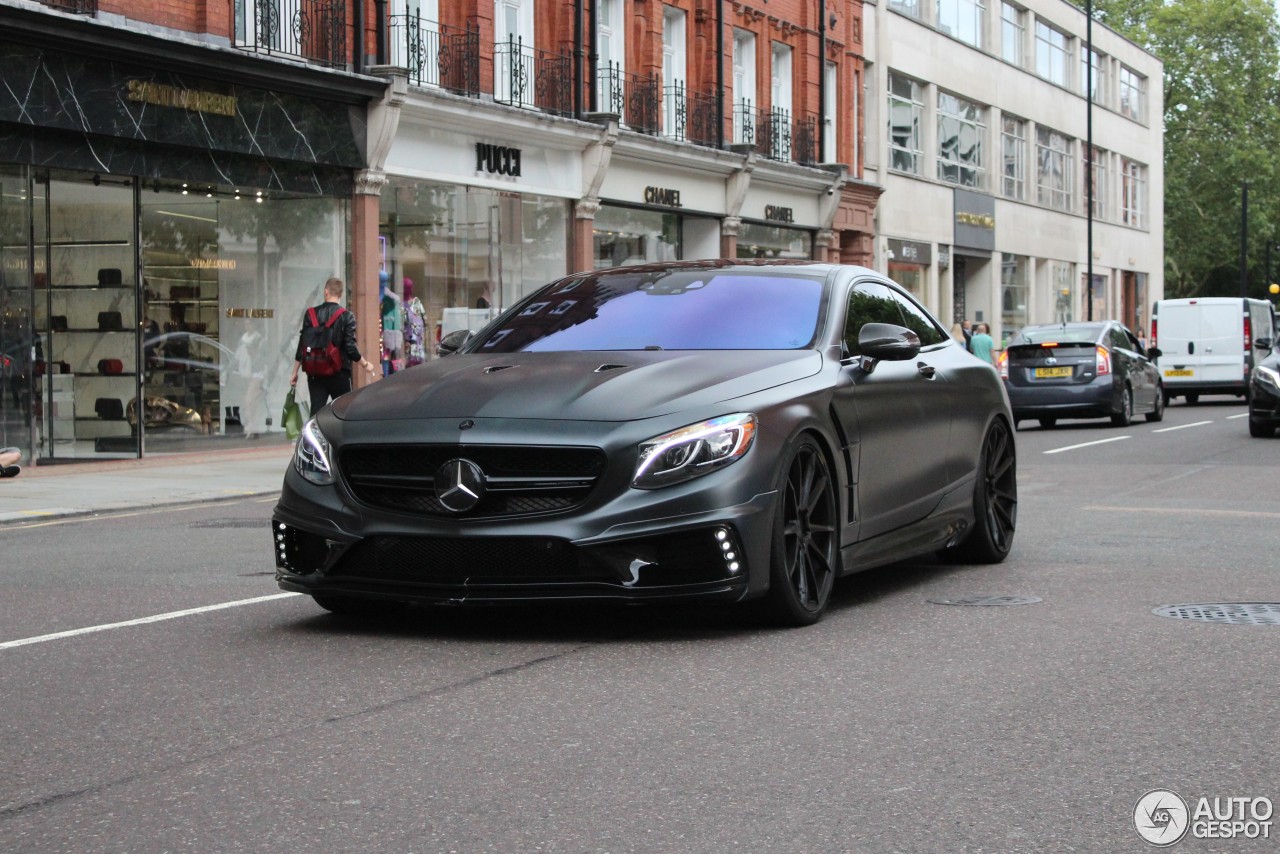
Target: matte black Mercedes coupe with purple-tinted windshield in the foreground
(705, 430)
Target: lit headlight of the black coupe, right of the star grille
(694, 451)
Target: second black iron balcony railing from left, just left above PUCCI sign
(437, 56)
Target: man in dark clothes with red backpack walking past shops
(327, 349)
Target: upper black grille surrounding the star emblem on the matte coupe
(520, 481)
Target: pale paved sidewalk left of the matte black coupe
(85, 488)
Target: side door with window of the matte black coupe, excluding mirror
(898, 415)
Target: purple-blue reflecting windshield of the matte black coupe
(668, 310)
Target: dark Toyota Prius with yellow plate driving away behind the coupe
(1082, 371)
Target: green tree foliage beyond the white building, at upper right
(1222, 130)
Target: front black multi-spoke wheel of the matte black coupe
(803, 567)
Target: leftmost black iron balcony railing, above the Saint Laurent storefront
(312, 30)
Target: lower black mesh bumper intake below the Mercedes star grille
(442, 560)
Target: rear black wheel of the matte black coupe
(995, 503)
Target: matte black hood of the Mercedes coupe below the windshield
(575, 386)
